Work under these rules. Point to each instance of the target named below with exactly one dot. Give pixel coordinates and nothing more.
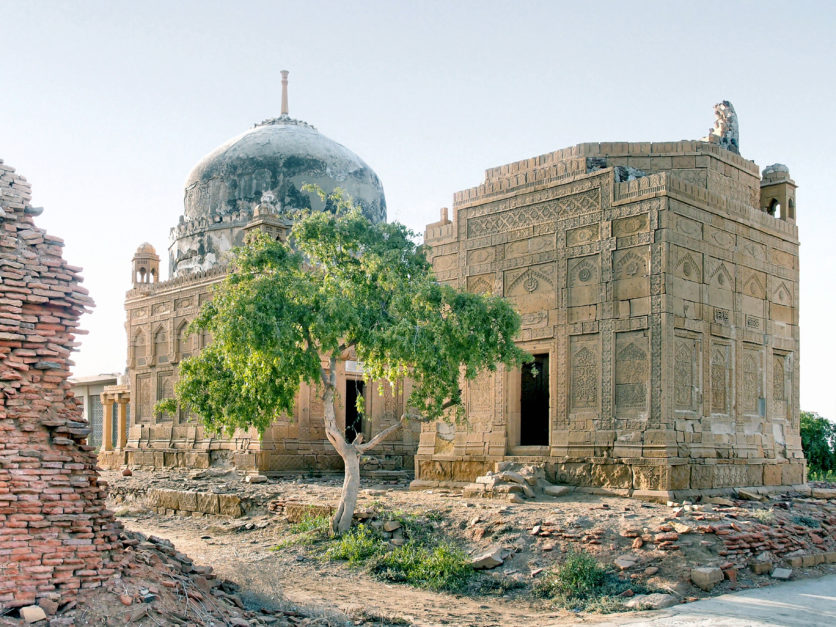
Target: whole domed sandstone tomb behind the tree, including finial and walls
(250, 182)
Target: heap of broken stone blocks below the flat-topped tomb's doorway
(514, 482)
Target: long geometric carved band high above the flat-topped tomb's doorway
(566, 206)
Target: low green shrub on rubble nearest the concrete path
(581, 583)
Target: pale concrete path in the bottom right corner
(805, 603)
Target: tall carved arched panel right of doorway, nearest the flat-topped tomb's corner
(632, 368)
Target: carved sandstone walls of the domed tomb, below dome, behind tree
(157, 317)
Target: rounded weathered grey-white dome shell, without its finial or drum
(279, 155)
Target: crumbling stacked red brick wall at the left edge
(56, 536)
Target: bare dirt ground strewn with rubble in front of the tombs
(664, 541)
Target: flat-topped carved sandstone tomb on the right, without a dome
(658, 289)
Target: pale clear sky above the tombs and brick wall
(106, 106)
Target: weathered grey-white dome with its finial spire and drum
(274, 159)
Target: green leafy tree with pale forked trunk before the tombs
(287, 312)
